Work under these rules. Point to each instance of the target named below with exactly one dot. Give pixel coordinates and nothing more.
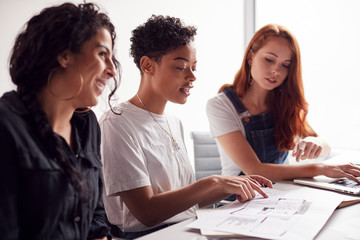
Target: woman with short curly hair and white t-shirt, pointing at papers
(149, 182)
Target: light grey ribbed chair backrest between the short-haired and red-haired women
(206, 155)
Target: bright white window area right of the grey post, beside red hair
(328, 32)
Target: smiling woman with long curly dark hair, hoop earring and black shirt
(50, 141)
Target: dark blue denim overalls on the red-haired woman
(259, 130)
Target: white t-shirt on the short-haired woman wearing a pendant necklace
(136, 152)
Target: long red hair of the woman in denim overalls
(287, 102)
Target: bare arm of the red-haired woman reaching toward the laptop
(240, 151)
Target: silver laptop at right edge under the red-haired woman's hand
(343, 185)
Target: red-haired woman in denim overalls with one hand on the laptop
(262, 115)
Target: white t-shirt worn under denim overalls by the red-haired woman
(223, 118)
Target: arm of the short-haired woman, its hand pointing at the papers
(151, 209)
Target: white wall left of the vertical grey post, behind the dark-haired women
(219, 46)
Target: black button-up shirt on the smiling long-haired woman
(37, 200)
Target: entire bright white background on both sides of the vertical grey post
(328, 32)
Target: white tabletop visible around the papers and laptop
(343, 224)
